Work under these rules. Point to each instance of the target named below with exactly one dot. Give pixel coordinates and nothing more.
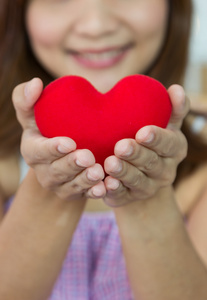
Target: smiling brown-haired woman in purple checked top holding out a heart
(51, 224)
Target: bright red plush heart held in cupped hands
(70, 106)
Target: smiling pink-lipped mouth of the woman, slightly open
(100, 58)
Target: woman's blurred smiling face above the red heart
(101, 40)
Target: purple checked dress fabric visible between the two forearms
(94, 268)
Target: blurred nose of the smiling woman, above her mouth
(96, 19)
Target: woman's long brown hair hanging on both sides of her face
(18, 63)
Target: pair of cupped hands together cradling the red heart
(65, 176)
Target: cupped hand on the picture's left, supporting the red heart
(59, 167)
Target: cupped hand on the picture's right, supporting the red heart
(144, 165)
